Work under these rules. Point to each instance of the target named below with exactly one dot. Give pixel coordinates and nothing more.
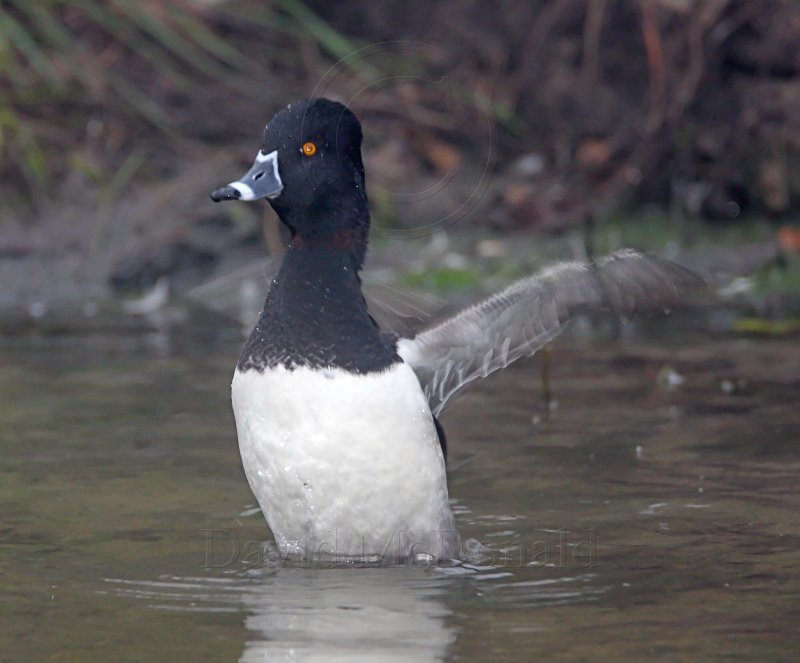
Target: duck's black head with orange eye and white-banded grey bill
(309, 168)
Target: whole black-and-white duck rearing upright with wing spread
(336, 419)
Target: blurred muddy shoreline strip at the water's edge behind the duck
(225, 272)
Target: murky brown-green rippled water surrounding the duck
(643, 517)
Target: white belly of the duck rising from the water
(343, 464)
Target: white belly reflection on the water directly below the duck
(332, 614)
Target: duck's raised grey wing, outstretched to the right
(519, 320)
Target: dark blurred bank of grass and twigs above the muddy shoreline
(117, 116)
